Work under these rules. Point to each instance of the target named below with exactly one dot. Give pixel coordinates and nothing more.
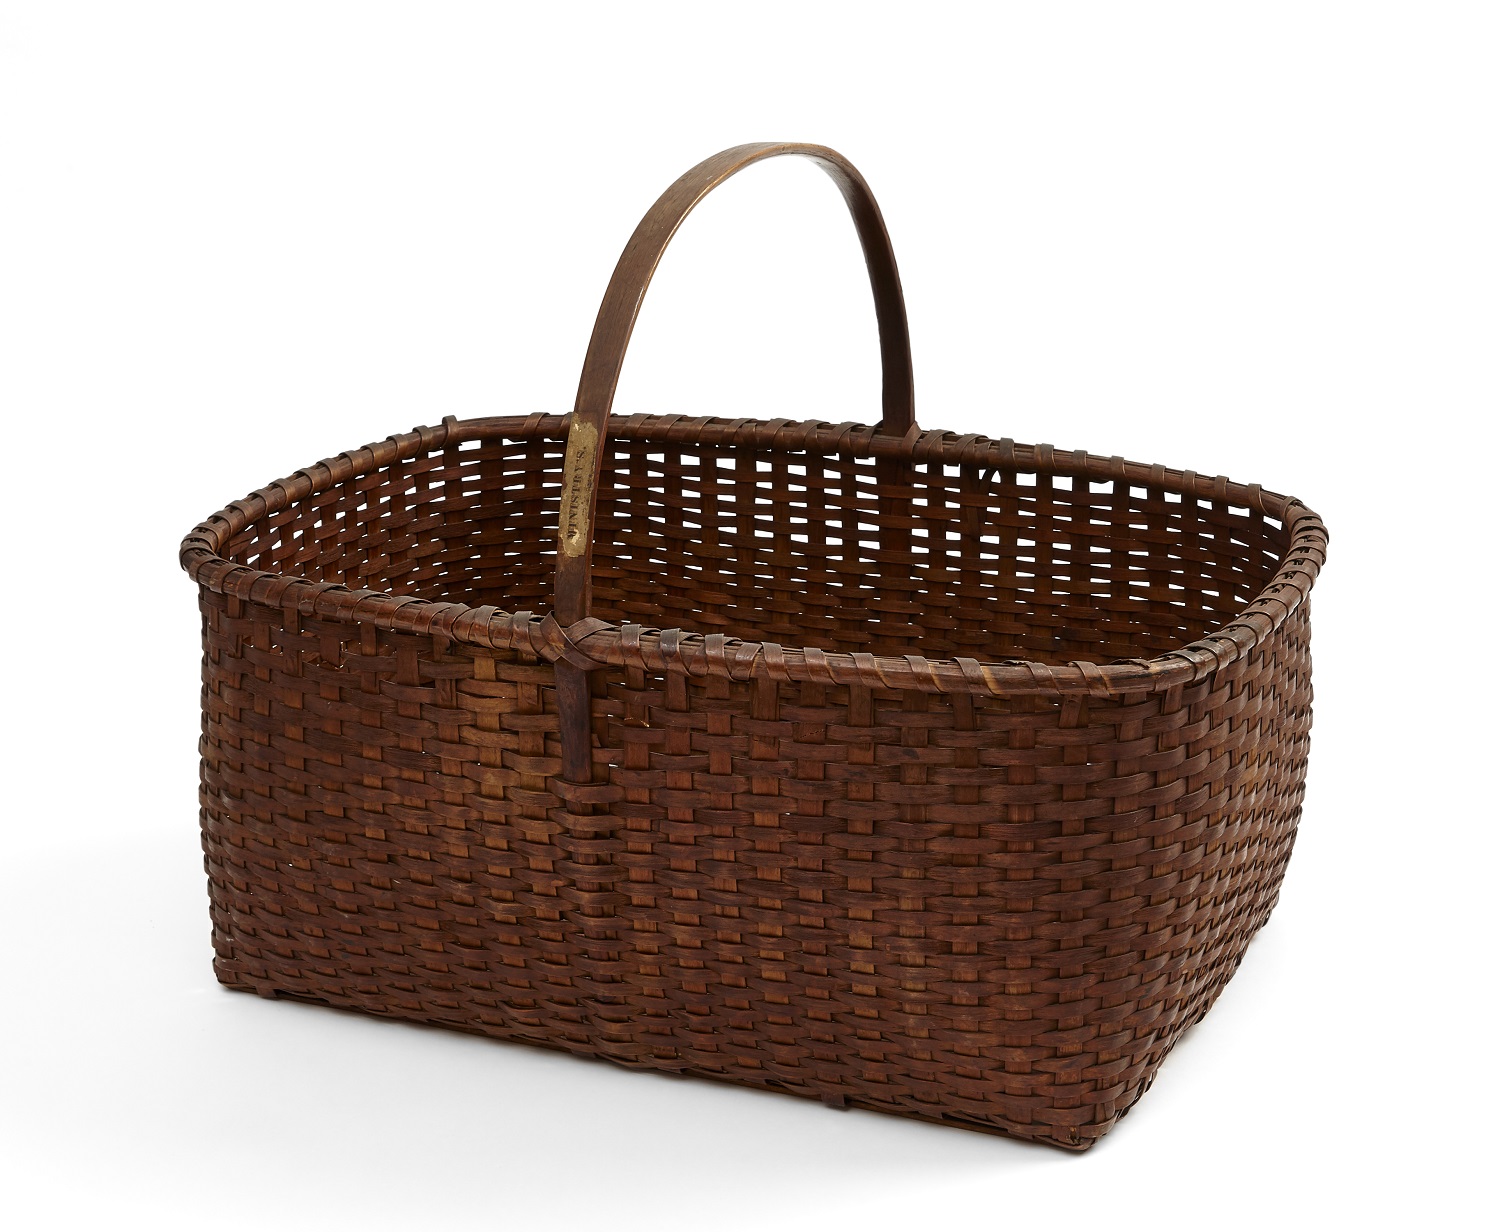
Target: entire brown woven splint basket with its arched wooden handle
(929, 774)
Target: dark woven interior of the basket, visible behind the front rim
(803, 548)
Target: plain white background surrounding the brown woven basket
(1252, 239)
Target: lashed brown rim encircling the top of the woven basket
(598, 645)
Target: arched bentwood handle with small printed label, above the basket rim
(617, 320)
